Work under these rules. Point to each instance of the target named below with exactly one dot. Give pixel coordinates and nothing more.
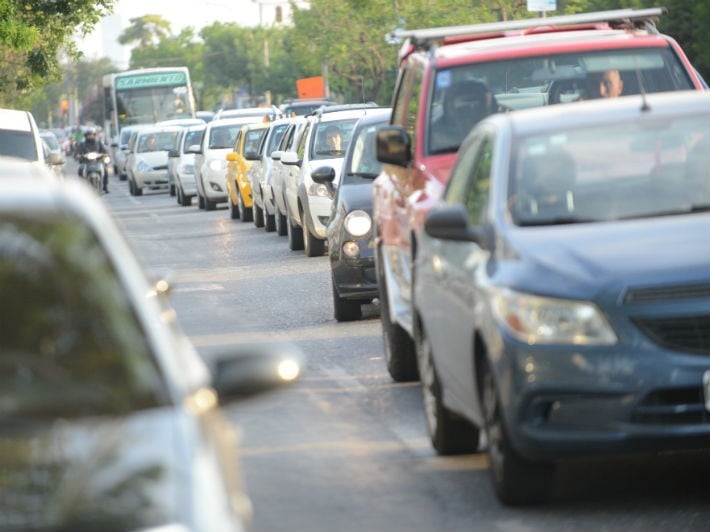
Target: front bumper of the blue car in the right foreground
(563, 401)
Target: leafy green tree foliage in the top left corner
(33, 33)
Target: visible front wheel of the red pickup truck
(400, 354)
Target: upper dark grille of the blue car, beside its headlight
(689, 334)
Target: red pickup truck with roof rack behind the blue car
(457, 75)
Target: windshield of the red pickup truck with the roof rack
(465, 94)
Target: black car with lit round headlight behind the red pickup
(349, 232)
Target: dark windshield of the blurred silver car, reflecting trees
(71, 345)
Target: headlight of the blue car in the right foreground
(542, 320)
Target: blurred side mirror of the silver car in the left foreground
(252, 369)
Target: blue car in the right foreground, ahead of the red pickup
(562, 288)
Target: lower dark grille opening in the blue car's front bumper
(672, 406)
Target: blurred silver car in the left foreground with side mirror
(110, 419)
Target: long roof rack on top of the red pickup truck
(427, 36)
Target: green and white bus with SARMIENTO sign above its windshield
(146, 96)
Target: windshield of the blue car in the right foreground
(649, 168)
